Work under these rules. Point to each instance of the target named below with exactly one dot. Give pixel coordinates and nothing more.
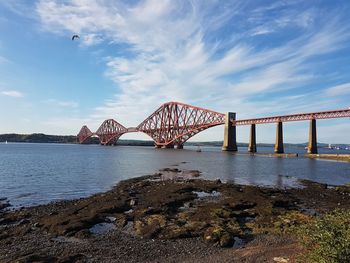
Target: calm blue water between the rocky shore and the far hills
(40, 173)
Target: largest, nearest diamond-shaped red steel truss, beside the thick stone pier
(174, 123)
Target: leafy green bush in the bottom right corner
(327, 238)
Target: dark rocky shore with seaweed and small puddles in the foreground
(172, 216)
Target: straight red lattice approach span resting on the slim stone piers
(297, 117)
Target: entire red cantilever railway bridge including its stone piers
(173, 123)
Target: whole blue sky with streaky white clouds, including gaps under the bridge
(256, 58)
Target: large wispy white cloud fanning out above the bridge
(168, 55)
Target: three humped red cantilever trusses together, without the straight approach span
(171, 124)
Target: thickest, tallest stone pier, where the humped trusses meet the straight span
(230, 141)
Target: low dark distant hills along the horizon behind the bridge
(44, 138)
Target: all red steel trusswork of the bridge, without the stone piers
(174, 123)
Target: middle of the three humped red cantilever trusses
(110, 131)
